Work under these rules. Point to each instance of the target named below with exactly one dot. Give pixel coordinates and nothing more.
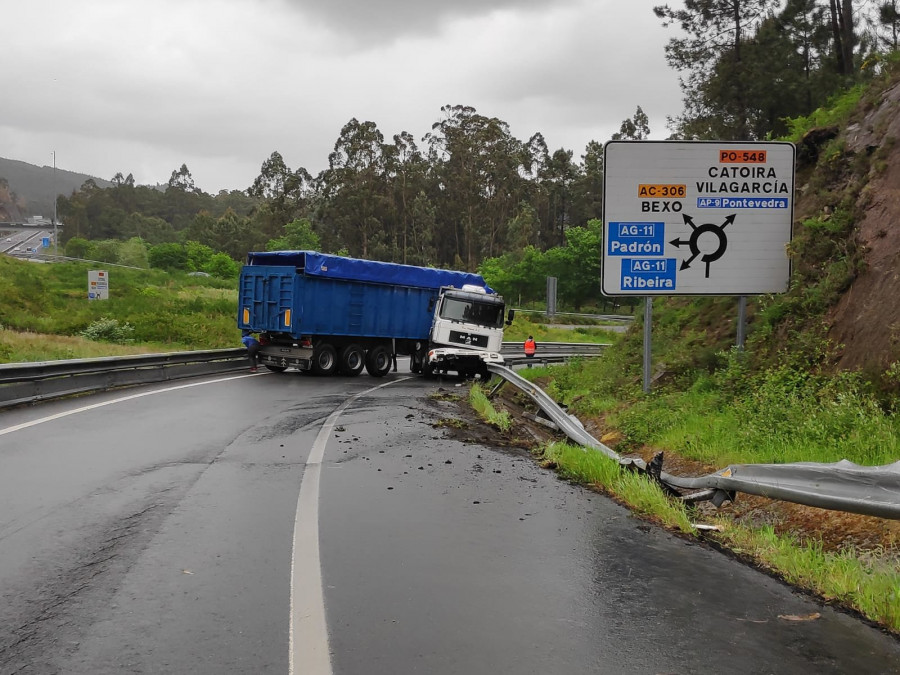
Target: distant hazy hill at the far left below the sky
(35, 187)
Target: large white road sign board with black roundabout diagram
(697, 218)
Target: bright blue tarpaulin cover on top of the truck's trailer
(353, 269)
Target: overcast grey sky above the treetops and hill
(142, 87)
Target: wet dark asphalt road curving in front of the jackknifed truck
(178, 529)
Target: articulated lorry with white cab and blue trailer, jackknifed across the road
(330, 314)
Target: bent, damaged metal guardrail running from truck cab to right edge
(839, 486)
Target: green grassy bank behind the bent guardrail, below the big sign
(779, 415)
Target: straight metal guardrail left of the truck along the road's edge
(31, 382)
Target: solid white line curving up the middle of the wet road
(308, 631)
